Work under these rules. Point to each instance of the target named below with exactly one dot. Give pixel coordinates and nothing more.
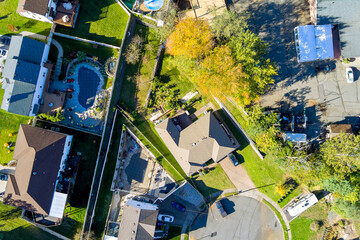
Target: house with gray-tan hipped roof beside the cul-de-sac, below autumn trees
(197, 143)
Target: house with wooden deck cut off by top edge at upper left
(63, 12)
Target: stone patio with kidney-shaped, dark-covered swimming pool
(86, 100)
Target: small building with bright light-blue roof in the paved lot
(314, 42)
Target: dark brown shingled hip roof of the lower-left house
(38, 153)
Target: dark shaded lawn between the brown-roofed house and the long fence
(88, 146)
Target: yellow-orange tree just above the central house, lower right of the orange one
(220, 74)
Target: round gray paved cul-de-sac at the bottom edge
(247, 219)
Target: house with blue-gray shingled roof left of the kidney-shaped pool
(24, 76)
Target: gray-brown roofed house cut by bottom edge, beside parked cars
(138, 221)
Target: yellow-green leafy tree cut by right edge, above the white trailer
(342, 153)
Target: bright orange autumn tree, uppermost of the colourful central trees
(192, 38)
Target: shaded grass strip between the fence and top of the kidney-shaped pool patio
(103, 53)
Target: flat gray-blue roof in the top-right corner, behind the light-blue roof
(346, 14)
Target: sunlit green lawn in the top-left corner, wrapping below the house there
(8, 16)
